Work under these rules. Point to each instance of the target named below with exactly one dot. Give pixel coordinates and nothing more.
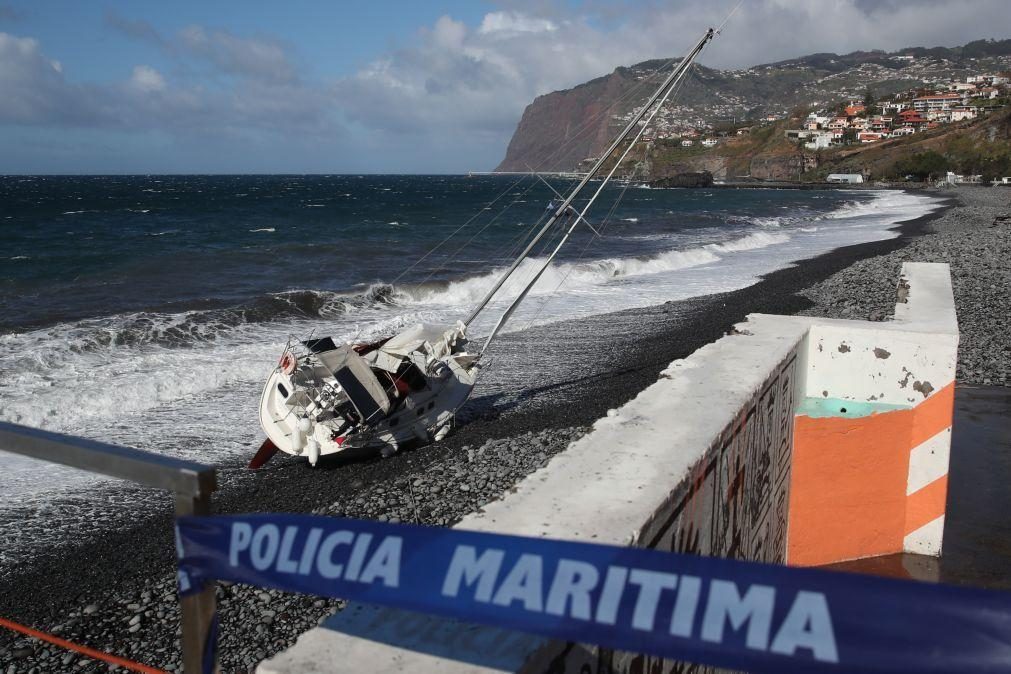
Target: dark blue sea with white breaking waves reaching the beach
(148, 311)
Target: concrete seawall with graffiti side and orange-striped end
(794, 440)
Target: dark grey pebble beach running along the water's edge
(113, 587)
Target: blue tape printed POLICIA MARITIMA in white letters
(729, 614)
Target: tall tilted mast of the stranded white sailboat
(663, 92)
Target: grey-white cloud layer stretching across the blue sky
(450, 97)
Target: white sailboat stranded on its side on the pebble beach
(324, 398)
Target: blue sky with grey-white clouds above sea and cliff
(388, 86)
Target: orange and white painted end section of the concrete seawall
(873, 429)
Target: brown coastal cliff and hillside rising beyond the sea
(563, 130)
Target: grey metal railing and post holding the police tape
(193, 485)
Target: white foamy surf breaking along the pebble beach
(188, 383)
